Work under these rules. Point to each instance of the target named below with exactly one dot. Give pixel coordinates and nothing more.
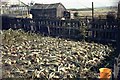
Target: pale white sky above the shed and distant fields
(74, 3)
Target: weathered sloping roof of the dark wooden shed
(45, 6)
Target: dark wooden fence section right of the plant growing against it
(103, 30)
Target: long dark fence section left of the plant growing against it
(52, 27)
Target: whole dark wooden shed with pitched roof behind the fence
(55, 10)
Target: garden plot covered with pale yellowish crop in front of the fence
(29, 55)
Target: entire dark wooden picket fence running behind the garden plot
(98, 30)
